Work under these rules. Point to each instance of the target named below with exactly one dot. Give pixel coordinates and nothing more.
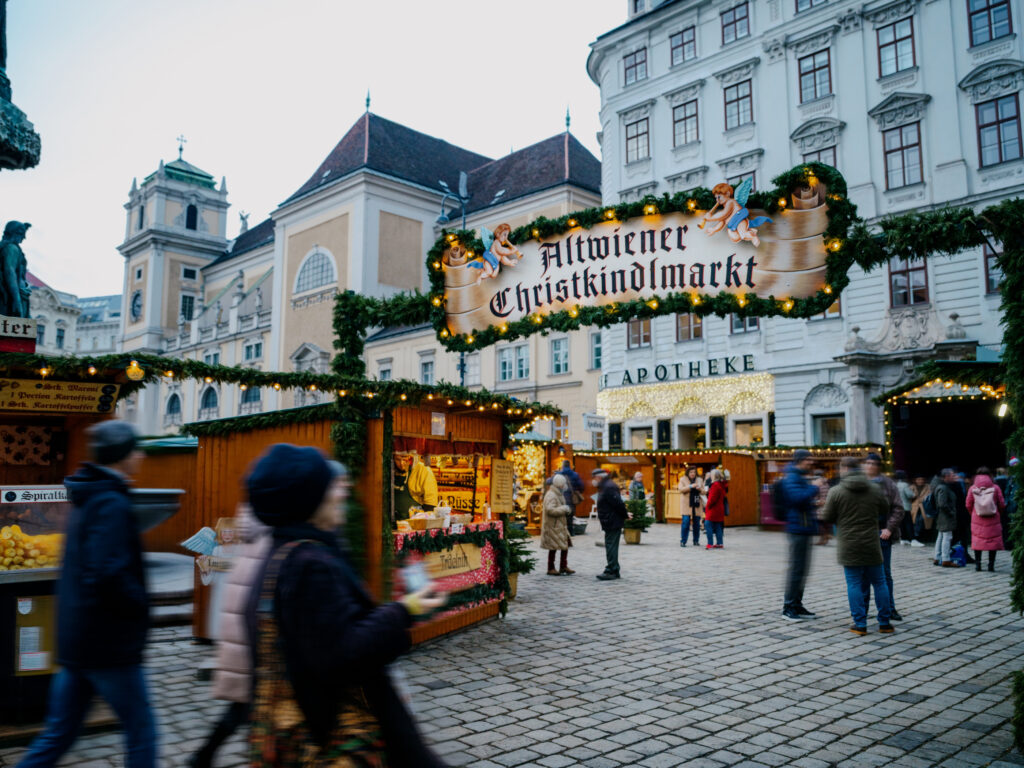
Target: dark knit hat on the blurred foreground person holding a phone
(288, 484)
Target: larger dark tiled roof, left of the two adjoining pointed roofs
(383, 146)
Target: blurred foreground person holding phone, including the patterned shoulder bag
(322, 692)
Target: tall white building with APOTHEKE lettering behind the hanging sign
(916, 103)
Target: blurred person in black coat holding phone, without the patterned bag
(334, 637)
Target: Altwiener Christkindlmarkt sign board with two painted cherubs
(732, 248)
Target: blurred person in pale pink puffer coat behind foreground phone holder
(233, 677)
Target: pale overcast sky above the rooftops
(264, 90)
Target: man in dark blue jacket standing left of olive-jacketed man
(800, 497)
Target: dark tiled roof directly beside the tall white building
(554, 161)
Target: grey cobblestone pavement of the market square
(688, 662)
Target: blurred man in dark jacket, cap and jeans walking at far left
(103, 610)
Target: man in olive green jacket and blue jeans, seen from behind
(856, 506)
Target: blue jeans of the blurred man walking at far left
(71, 694)
